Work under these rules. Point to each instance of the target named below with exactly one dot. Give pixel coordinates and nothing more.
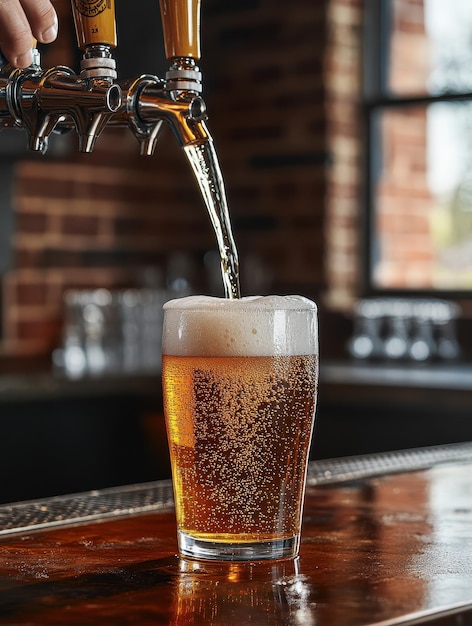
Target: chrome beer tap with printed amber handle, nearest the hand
(41, 101)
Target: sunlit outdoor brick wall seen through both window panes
(403, 199)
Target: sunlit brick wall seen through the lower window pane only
(403, 221)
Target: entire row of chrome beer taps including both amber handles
(41, 101)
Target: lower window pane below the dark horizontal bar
(423, 198)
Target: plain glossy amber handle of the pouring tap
(181, 26)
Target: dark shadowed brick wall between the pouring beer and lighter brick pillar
(268, 120)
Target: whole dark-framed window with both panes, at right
(418, 114)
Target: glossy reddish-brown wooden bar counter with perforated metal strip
(387, 539)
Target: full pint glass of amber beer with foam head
(240, 383)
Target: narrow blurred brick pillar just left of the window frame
(342, 72)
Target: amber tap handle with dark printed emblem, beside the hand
(94, 22)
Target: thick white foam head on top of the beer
(250, 326)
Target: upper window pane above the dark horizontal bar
(430, 47)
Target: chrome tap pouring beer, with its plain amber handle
(149, 101)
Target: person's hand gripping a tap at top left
(21, 21)
